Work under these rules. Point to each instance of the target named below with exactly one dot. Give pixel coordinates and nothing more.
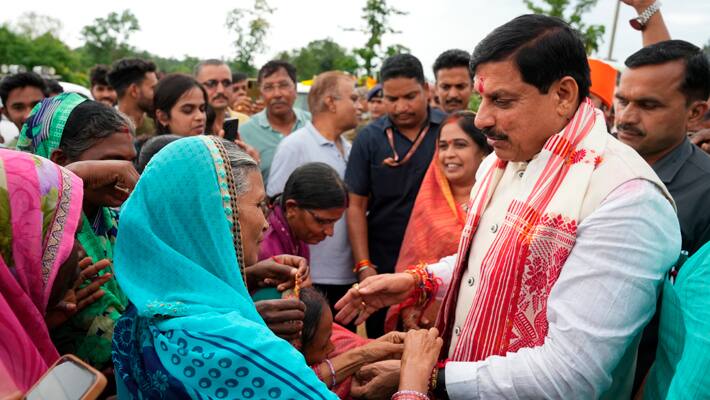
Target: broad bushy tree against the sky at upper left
(106, 40)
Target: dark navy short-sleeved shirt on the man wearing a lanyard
(391, 190)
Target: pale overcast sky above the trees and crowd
(197, 28)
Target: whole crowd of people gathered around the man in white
(552, 244)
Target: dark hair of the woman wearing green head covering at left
(89, 122)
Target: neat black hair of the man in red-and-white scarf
(544, 49)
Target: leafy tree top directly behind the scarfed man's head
(592, 35)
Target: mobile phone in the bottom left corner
(68, 379)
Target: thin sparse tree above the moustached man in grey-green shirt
(250, 27)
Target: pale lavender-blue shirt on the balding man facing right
(331, 259)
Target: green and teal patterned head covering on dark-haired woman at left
(42, 132)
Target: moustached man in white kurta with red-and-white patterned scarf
(585, 283)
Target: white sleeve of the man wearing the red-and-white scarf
(605, 295)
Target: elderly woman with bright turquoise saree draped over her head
(192, 331)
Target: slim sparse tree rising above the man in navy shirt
(376, 14)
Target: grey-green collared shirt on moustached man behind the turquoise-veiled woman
(259, 134)
